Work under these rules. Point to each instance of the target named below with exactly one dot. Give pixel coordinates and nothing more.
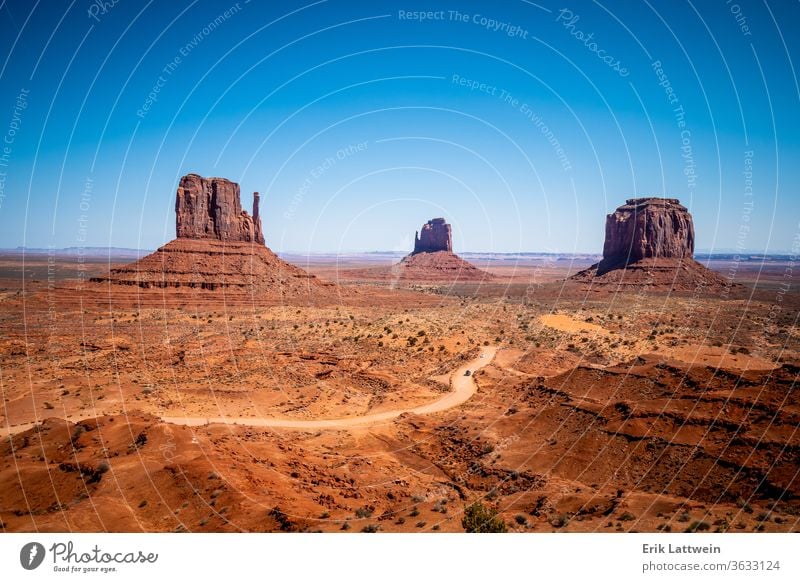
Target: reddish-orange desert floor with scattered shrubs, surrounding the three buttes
(590, 410)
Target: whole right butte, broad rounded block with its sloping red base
(650, 241)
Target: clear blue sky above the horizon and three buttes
(573, 117)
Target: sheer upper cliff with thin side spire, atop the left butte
(210, 208)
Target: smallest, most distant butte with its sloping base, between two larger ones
(433, 259)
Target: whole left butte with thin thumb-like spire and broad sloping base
(219, 246)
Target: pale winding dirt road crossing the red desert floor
(462, 389)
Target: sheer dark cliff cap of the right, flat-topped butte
(646, 228)
